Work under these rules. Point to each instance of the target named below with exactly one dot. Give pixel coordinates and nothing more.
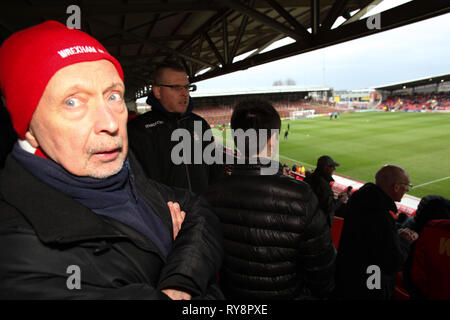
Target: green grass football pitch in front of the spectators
(363, 142)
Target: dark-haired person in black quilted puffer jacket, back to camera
(277, 242)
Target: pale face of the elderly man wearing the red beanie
(80, 121)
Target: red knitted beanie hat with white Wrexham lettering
(29, 58)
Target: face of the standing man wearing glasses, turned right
(172, 99)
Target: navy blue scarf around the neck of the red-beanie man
(114, 196)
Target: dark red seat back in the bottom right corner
(430, 271)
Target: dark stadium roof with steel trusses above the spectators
(204, 34)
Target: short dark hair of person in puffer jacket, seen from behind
(254, 114)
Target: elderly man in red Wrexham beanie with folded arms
(78, 219)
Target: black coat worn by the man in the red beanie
(43, 232)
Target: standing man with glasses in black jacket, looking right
(155, 144)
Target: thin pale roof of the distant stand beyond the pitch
(261, 90)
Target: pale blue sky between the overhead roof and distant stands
(410, 52)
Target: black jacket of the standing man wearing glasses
(149, 136)
